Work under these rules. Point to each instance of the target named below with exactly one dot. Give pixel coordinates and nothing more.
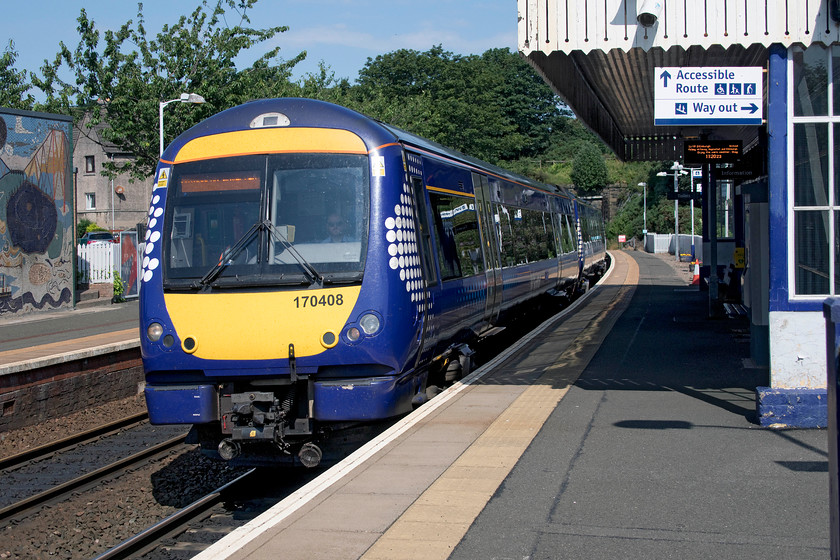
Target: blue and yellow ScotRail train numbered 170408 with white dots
(309, 270)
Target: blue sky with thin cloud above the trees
(341, 33)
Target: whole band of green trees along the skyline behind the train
(493, 106)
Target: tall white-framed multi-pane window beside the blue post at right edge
(814, 174)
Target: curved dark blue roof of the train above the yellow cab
(302, 112)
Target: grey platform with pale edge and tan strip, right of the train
(625, 429)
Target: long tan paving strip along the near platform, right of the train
(437, 521)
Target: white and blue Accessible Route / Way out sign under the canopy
(708, 96)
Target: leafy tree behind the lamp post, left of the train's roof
(121, 80)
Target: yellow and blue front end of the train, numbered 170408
(260, 330)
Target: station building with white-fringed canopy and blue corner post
(602, 58)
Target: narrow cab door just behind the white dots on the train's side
(424, 247)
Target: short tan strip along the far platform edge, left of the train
(12, 361)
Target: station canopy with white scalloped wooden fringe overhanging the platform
(601, 60)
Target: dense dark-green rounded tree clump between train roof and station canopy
(492, 106)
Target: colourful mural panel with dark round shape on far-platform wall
(36, 218)
